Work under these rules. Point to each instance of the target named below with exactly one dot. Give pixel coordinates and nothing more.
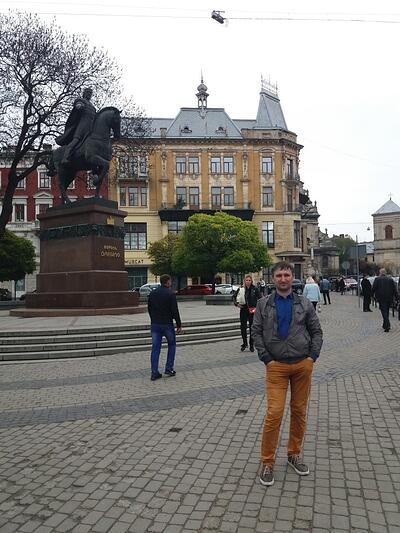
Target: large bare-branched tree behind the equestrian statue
(42, 71)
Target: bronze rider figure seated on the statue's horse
(78, 125)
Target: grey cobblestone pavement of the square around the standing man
(93, 445)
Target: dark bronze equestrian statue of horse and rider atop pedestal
(85, 144)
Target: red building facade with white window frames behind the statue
(33, 196)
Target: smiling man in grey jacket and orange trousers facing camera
(288, 338)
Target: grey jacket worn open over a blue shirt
(304, 338)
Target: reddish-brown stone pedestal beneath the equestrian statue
(82, 262)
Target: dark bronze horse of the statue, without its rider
(93, 154)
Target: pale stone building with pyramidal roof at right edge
(387, 236)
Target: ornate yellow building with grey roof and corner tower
(205, 161)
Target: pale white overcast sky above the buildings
(338, 82)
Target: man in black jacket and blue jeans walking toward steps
(163, 310)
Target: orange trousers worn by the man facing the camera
(278, 377)
